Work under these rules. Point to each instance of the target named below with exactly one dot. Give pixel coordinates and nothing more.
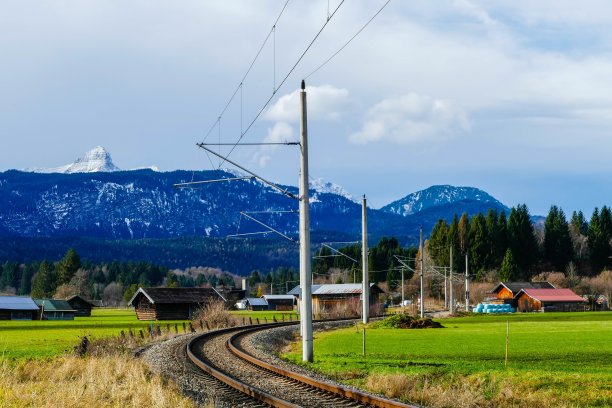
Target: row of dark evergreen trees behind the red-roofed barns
(519, 249)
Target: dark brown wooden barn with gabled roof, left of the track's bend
(171, 303)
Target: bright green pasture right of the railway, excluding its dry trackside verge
(571, 352)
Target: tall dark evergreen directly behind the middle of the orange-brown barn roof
(521, 240)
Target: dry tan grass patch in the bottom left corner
(70, 381)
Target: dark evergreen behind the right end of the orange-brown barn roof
(558, 248)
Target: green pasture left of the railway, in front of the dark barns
(48, 338)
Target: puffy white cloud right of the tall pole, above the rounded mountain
(411, 118)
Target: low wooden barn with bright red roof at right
(549, 300)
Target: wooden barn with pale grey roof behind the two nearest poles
(342, 298)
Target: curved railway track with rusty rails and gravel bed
(220, 355)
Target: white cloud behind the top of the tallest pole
(325, 102)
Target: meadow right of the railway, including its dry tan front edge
(555, 359)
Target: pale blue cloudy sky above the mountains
(514, 98)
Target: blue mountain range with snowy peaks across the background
(92, 198)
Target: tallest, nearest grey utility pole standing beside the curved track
(305, 267)
